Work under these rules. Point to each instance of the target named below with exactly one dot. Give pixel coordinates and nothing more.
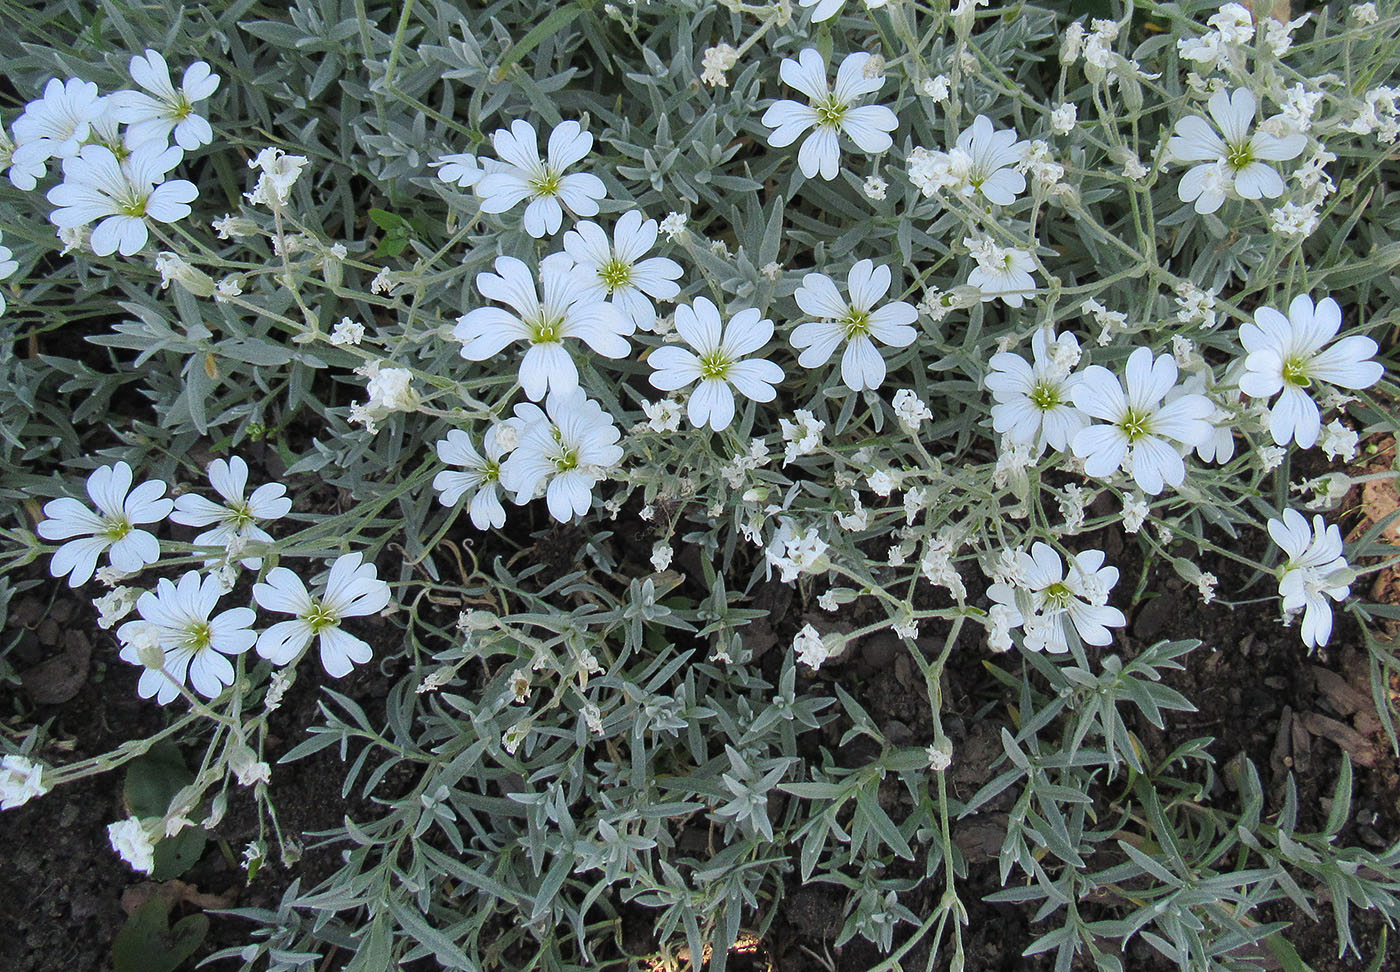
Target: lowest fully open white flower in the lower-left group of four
(177, 620)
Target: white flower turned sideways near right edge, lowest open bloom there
(1315, 568)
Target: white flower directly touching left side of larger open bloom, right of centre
(1035, 403)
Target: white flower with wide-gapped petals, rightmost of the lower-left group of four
(352, 592)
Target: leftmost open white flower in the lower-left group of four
(111, 529)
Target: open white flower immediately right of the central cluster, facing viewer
(853, 323)
